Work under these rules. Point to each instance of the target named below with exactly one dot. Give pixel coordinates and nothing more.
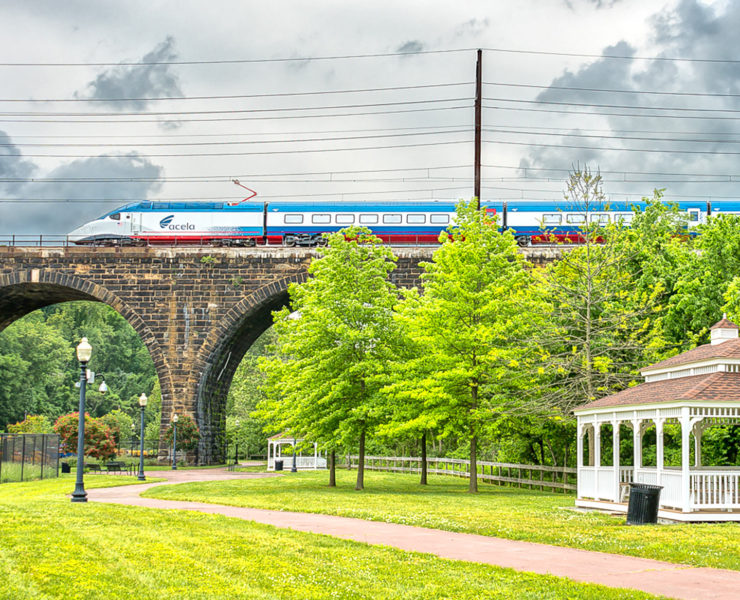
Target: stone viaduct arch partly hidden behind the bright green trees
(221, 353)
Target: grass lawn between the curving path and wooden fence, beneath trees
(511, 513)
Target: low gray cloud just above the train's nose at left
(68, 212)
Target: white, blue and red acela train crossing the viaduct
(303, 223)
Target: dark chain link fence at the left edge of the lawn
(26, 456)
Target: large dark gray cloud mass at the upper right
(691, 29)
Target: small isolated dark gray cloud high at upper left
(139, 82)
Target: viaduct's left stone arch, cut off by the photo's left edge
(22, 292)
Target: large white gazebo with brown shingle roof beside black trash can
(694, 390)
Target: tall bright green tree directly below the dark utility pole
(471, 324)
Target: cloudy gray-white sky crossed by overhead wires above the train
(105, 103)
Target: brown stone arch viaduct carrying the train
(197, 310)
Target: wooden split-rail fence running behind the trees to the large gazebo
(532, 476)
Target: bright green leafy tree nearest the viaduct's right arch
(321, 382)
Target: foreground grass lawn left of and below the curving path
(52, 548)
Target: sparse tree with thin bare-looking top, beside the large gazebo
(602, 300)
